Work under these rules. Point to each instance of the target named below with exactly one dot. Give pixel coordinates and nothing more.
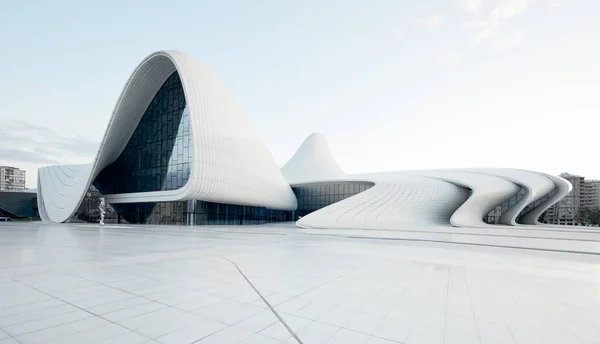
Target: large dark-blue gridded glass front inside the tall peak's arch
(158, 155)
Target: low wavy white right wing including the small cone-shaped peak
(411, 199)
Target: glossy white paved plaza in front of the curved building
(84, 283)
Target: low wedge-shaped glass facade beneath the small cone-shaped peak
(316, 196)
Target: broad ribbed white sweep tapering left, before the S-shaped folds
(396, 201)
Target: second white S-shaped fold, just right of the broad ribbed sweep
(488, 192)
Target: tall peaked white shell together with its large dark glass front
(176, 134)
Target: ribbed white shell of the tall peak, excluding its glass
(231, 164)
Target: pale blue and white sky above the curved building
(391, 84)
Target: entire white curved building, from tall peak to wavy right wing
(179, 149)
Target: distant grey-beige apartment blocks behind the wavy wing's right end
(569, 210)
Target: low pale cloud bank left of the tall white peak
(30, 143)
